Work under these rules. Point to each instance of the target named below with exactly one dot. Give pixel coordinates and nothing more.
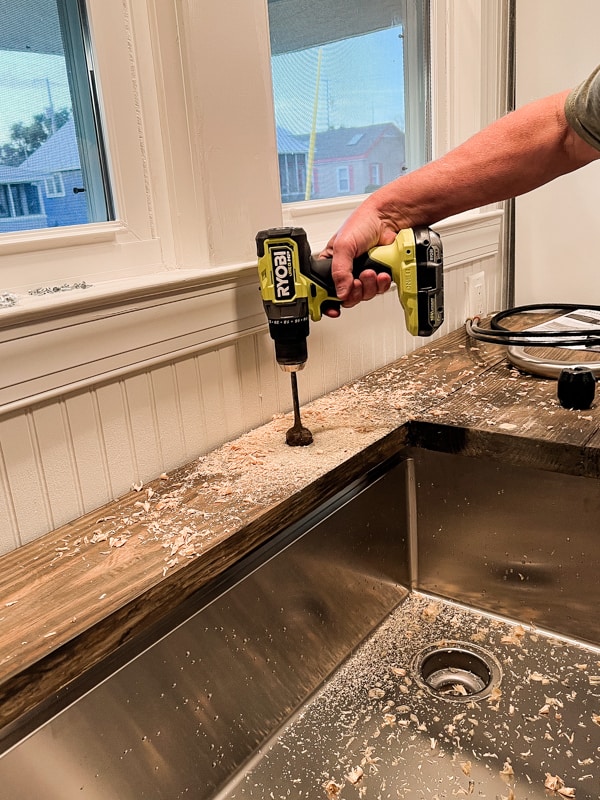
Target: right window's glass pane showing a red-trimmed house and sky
(340, 93)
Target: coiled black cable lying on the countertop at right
(498, 334)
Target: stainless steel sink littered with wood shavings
(432, 632)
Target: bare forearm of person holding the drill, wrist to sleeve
(516, 154)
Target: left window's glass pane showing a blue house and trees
(52, 170)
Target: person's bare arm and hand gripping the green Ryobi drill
(517, 153)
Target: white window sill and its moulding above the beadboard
(64, 341)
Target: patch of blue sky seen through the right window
(361, 83)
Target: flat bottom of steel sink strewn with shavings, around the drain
(376, 729)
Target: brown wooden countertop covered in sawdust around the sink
(71, 598)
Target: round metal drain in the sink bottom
(457, 671)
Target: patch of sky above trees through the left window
(24, 81)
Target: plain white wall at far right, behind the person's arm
(556, 257)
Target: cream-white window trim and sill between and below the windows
(177, 268)
